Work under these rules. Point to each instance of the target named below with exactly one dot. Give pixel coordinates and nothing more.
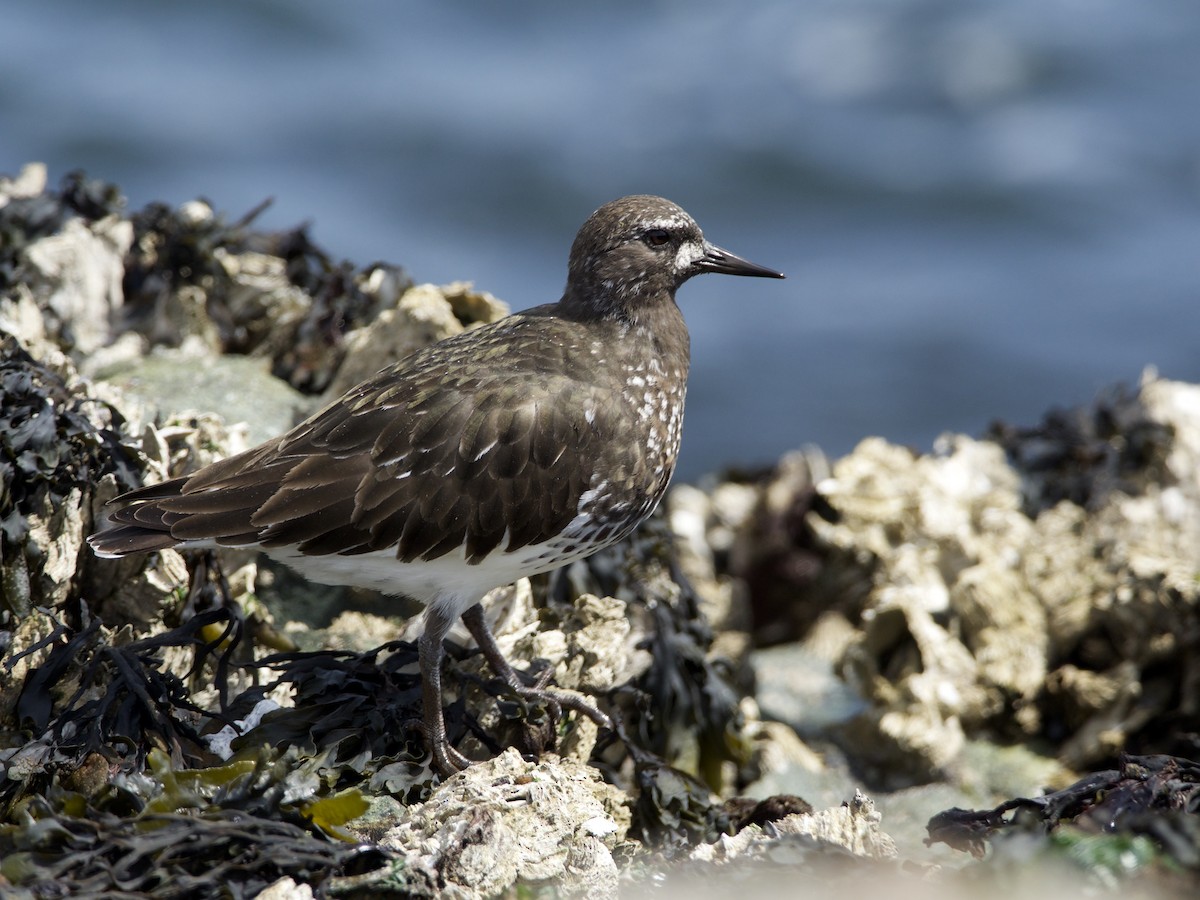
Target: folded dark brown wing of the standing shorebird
(428, 457)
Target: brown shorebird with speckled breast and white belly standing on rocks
(503, 452)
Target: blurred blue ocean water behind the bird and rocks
(985, 209)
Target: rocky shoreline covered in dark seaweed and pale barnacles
(817, 670)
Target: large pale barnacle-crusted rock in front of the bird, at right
(991, 603)
